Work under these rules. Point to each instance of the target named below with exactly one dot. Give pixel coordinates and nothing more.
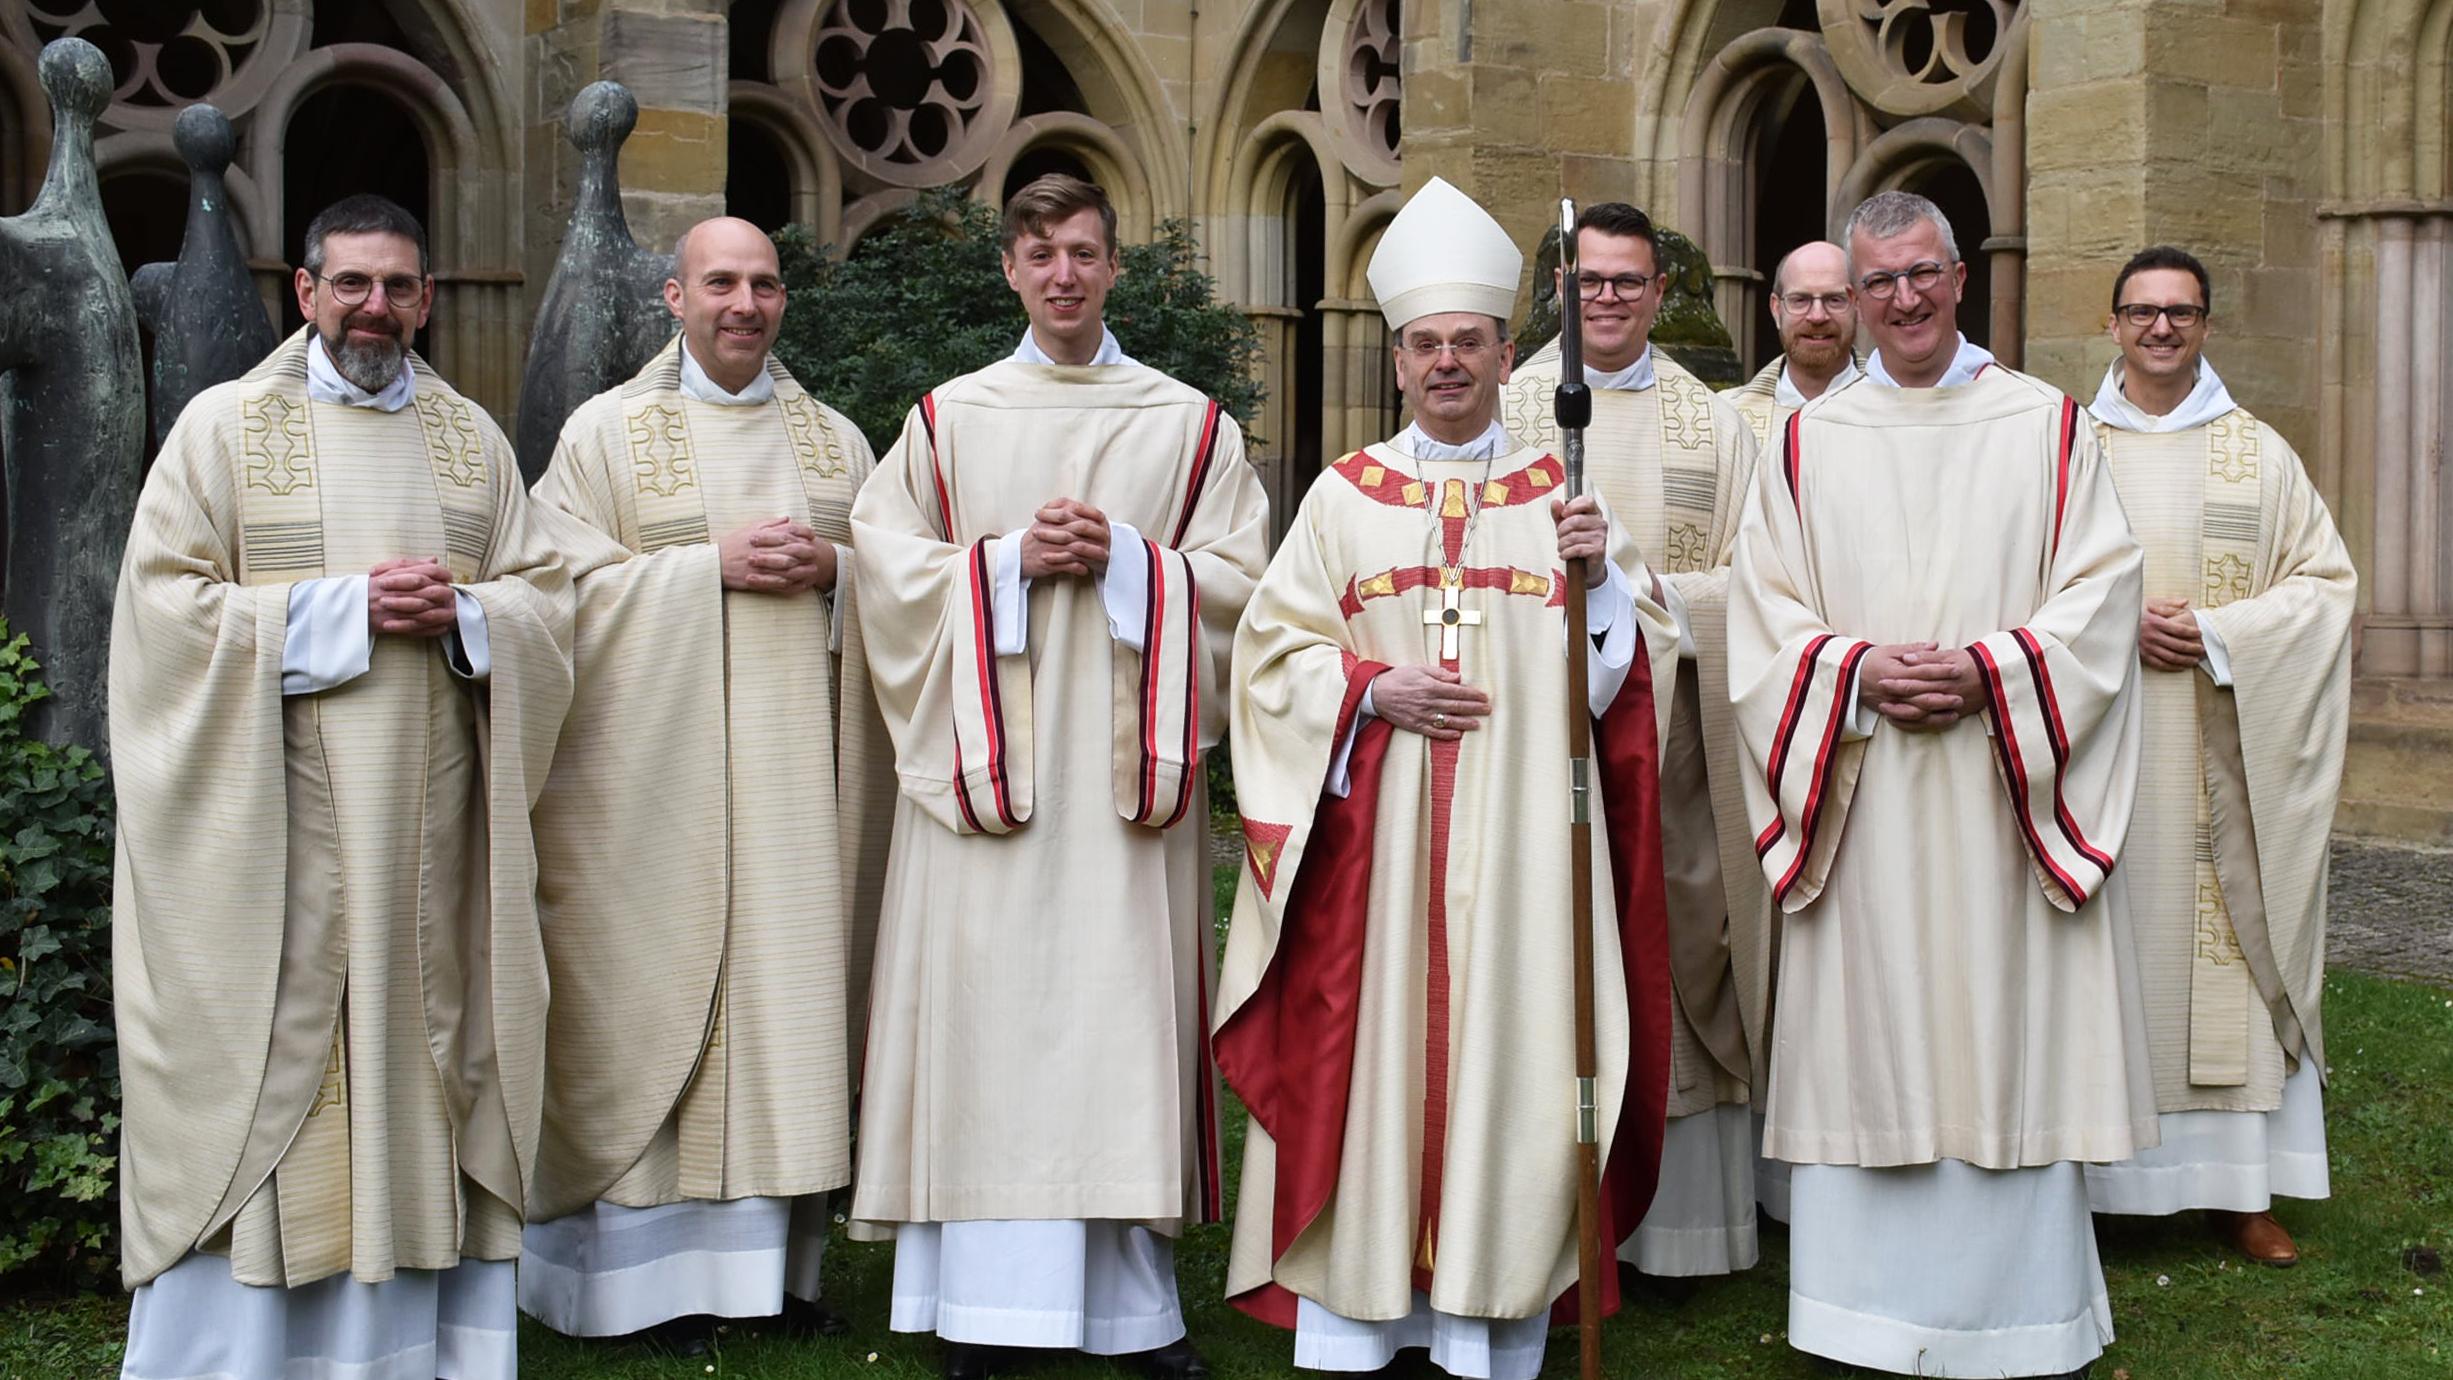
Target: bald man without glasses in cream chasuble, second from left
(713, 837)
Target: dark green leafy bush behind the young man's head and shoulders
(926, 300)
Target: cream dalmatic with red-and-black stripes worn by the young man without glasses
(1041, 994)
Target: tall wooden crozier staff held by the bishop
(1574, 408)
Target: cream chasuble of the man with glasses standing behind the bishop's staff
(1674, 462)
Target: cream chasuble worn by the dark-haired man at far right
(2236, 790)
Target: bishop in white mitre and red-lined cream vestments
(1397, 994)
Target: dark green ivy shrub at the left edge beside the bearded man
(60, 1070)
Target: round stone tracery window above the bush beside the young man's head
(909, 87)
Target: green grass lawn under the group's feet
(2184, 1310)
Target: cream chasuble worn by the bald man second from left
(703, 881)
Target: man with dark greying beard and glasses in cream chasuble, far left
(340, 661)
